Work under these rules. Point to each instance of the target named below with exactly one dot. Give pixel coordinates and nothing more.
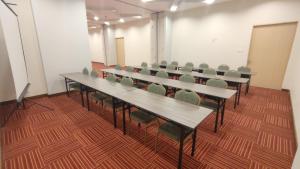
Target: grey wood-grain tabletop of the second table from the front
(198, 88)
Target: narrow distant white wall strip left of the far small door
(96, 42)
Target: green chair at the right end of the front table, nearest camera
(170, 129)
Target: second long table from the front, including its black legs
(220, 94)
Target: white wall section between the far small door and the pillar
(137, 41)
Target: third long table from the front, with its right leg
(237, 81)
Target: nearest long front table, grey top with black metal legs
(182, 114)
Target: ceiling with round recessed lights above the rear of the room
(113, 10)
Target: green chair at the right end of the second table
(215, 103)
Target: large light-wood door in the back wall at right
(269, 53)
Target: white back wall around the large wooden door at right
(221, 33)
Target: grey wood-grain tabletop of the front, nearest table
(180, 112)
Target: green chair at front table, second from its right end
(144, 117)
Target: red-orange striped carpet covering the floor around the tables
(258, 134)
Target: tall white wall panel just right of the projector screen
(63, 37)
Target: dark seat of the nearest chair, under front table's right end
(173, 131)
